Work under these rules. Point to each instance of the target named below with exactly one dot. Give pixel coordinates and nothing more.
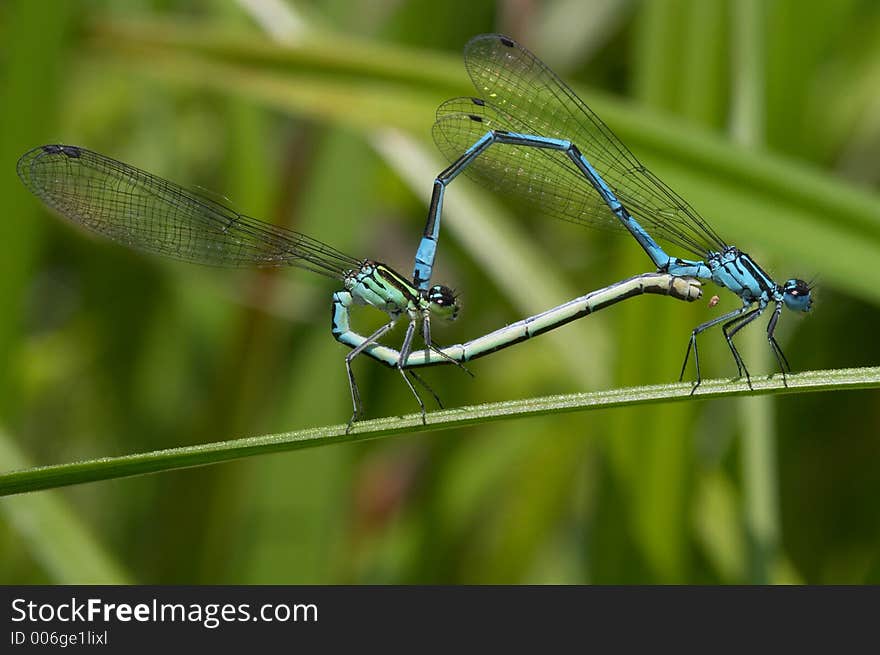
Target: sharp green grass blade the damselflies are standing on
(106, 468)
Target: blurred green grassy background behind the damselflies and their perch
(317, 115)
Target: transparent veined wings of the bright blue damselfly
(519, 93)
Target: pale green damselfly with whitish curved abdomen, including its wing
(148, 213)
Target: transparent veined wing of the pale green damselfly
(148, 213)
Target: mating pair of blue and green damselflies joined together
(527, 135)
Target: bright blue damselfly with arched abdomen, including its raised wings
(530, 137)
